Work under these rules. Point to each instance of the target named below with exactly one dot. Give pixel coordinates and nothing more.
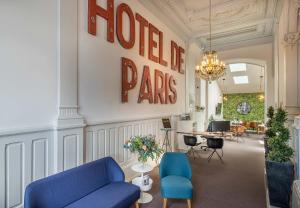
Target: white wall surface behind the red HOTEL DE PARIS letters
(100, 71)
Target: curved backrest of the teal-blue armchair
(175, 163)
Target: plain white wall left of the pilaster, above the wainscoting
(28, 63)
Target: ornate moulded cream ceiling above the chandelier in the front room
(234, 22)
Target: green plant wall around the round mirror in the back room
(230, 107)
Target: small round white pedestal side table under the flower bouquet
(139, 181)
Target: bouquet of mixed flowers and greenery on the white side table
(145, 146)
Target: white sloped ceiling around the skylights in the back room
(252, 71)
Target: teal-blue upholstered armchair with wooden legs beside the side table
(175, 177)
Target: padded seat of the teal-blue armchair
(176, 187)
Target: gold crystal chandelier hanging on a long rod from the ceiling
(211, 68)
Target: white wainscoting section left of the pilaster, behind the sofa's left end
(24, 158)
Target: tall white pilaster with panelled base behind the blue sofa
(68, 136)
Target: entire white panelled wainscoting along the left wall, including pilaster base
(26, 156)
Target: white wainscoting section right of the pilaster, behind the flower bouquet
(108, 139)
